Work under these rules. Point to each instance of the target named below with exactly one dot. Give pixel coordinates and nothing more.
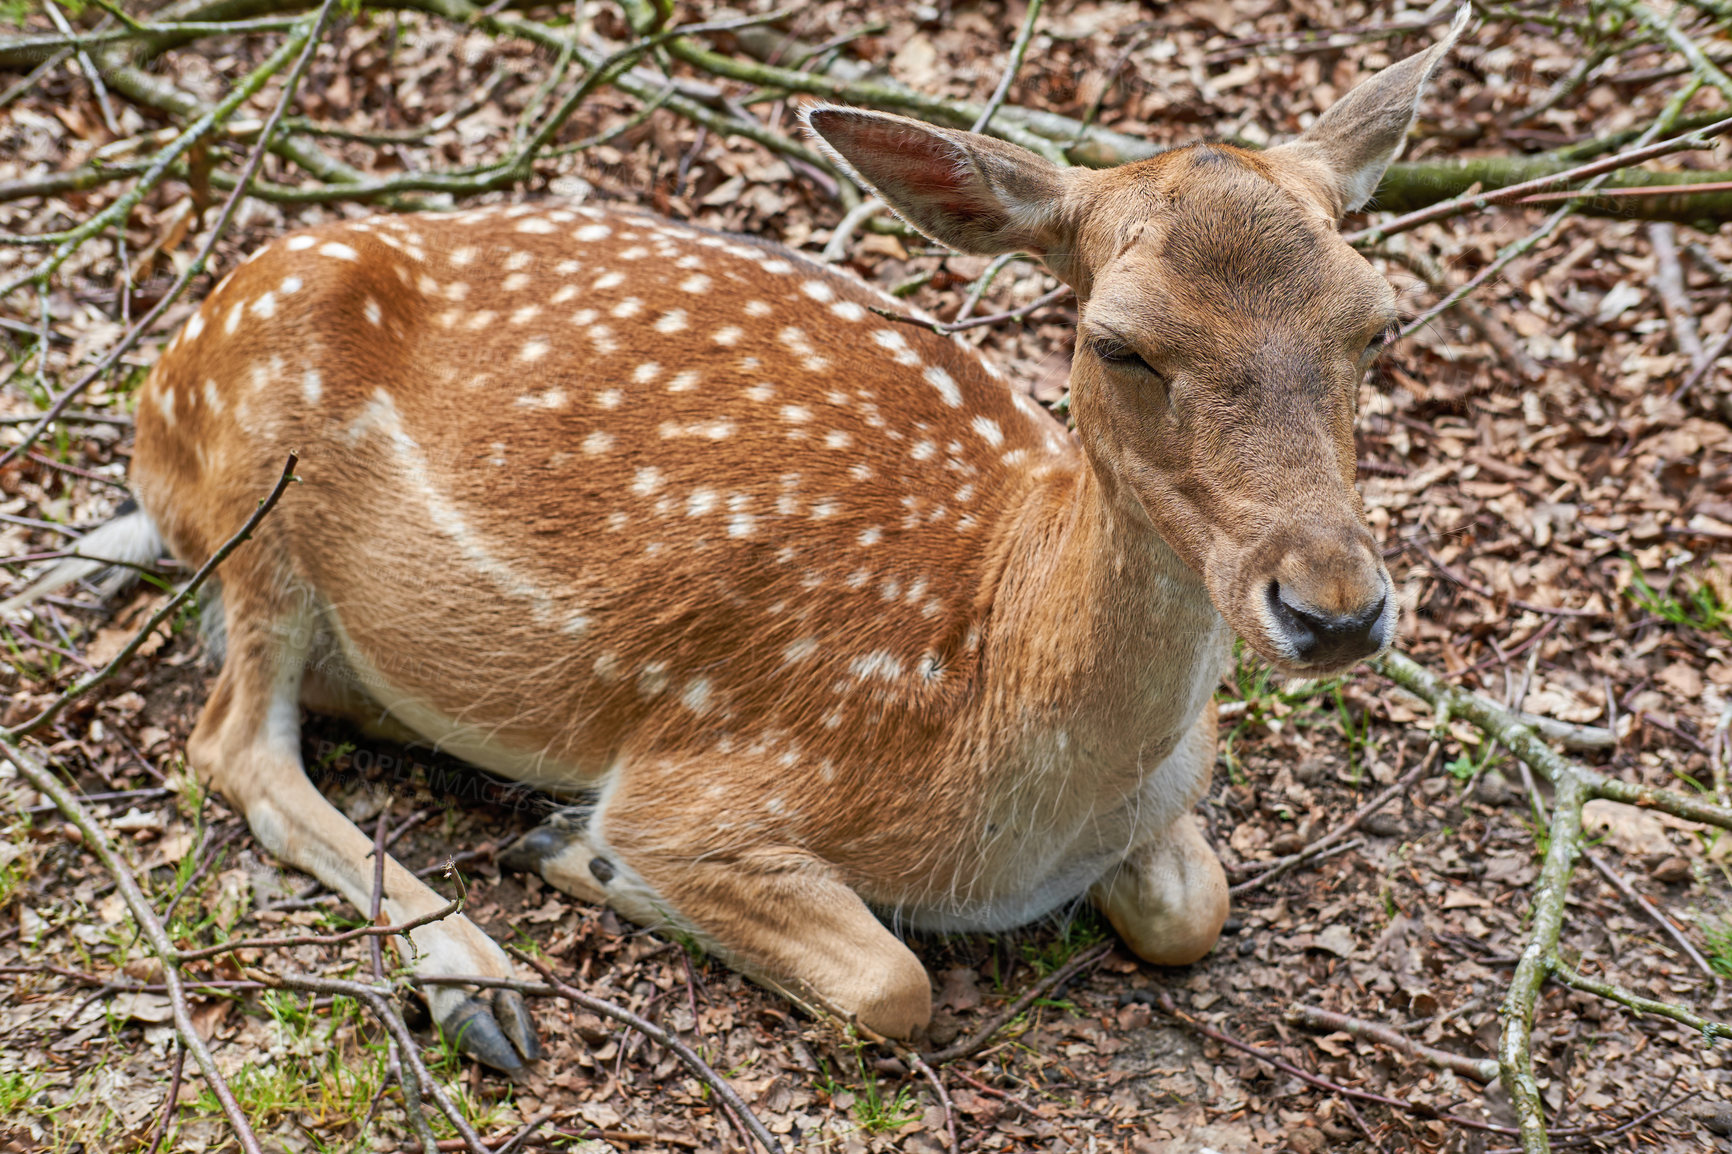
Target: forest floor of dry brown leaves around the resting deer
(1537, 491)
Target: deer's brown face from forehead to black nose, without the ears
(1215, 384)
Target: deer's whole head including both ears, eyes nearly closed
(1224, 330)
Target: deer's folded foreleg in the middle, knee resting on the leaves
(777, 914)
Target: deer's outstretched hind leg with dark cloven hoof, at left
(247, 746)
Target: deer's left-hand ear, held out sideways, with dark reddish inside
(969, 191)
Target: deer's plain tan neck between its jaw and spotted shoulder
(1108, 635)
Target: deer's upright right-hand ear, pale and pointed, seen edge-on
(1360, 136)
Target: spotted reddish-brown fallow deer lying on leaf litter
(820, 621)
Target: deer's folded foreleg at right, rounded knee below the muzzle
(1168, 897)
